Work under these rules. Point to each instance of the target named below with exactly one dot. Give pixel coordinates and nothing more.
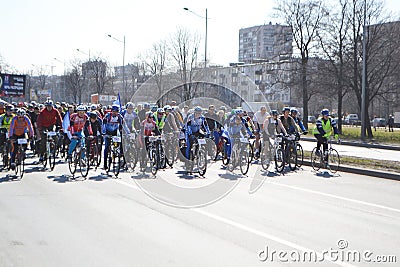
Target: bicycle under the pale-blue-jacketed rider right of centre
(240, 155)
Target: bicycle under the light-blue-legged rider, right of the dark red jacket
(79, 157)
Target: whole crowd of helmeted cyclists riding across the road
(81, 123)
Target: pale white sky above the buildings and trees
(35, 32)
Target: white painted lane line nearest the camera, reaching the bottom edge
(268, 236)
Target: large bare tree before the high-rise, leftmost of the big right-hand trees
(305, 18)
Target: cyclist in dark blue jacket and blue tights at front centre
(195, 126)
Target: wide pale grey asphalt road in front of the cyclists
(223, 219)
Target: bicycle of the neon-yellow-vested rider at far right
(329, 159)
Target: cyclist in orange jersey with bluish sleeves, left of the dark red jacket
(20, 125)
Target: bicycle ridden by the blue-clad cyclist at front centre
(197, 156)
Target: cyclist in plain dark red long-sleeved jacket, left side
(46, 120)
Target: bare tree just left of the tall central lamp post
(184, 47)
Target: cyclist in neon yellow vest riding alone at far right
(323, 129)
